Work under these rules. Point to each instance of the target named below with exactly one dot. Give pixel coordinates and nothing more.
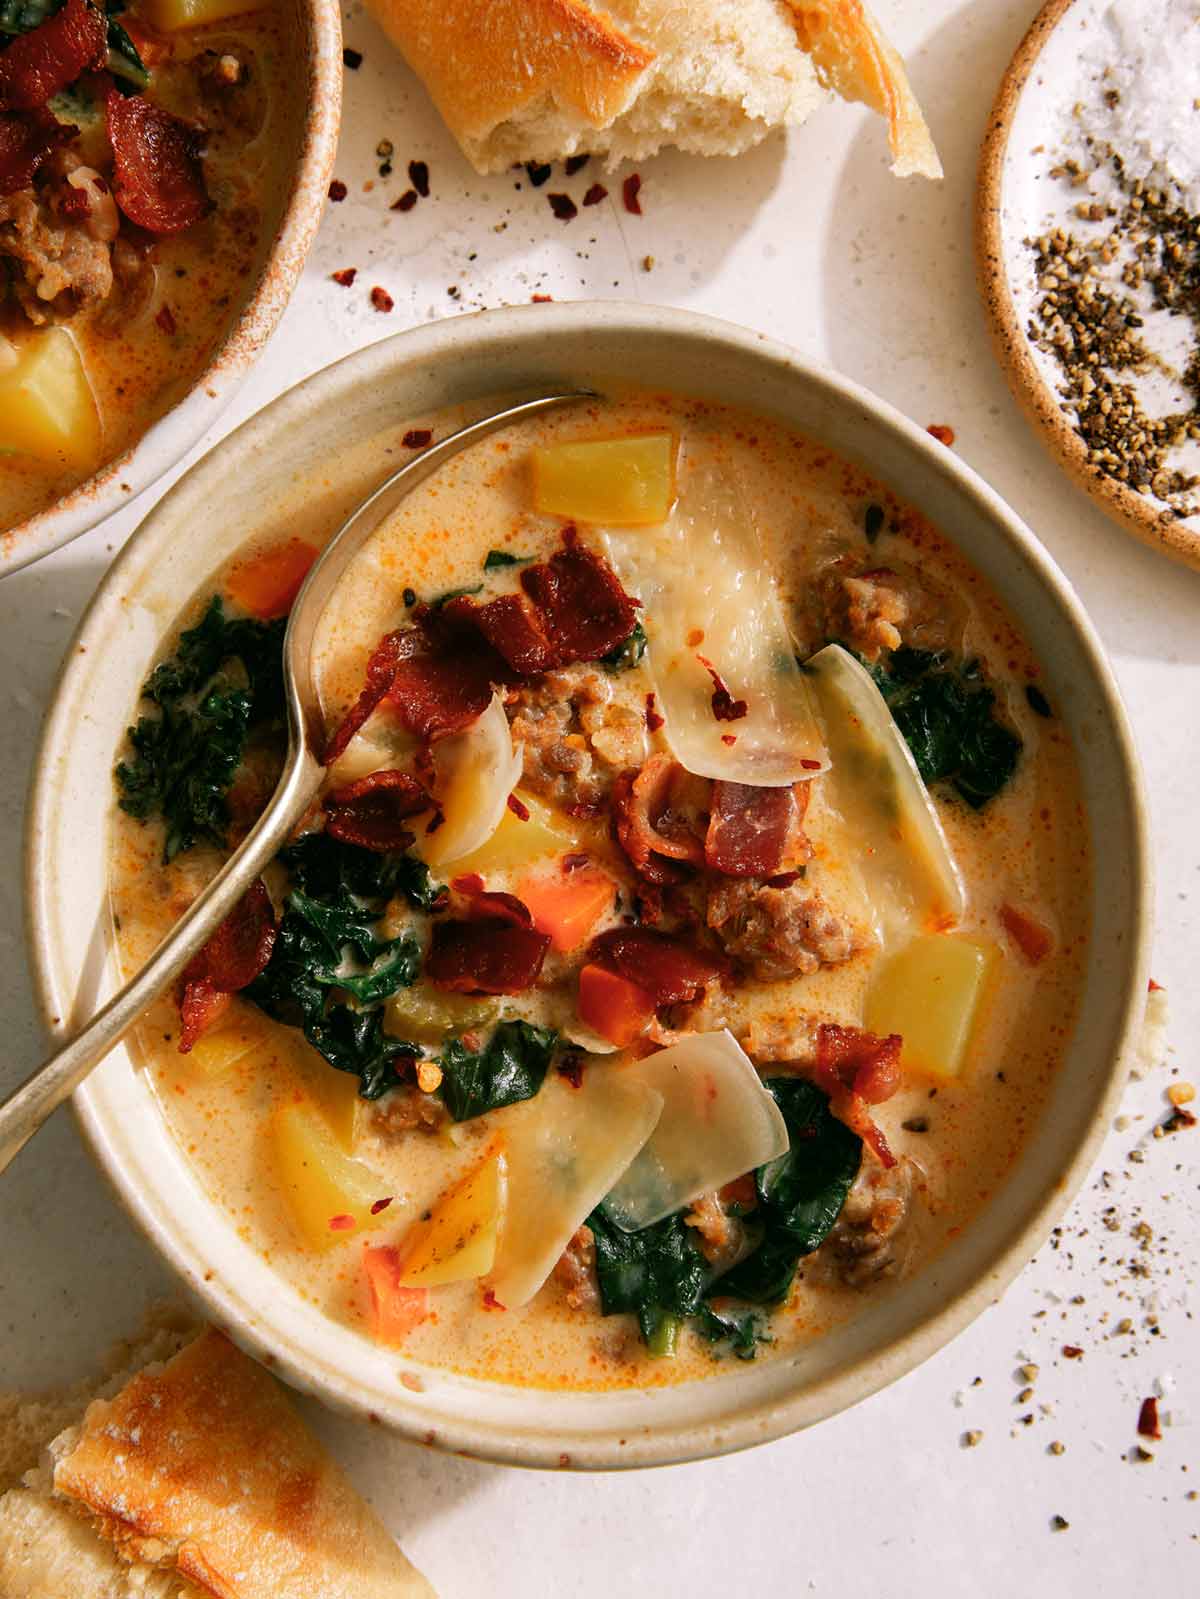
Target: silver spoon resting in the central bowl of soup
(303, 773)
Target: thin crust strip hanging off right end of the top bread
(857, 62)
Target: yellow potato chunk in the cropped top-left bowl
(47, 409)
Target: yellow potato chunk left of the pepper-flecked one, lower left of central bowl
(329, 1194)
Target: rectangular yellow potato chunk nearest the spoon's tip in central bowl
(630, 482)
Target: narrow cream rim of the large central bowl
(862, 1376)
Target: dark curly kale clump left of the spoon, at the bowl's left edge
(223, 684)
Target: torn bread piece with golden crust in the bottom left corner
(196, 1481)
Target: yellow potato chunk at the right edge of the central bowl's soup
(930, 994)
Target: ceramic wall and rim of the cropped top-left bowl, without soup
(297, 159)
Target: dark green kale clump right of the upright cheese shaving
(946, 712)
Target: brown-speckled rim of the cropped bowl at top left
(172, 436)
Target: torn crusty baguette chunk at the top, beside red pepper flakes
(537, 81)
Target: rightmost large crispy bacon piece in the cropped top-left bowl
(158, 177)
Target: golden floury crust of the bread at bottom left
(206, 1467)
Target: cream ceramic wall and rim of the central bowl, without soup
(466, 361)
